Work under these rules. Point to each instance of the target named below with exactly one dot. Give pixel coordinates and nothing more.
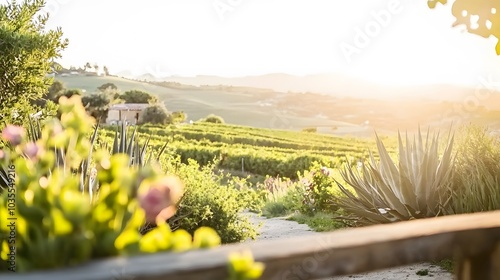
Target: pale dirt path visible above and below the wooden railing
(275, 228)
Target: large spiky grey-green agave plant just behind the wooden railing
(418, 185)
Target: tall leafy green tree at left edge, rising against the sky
(27, 51)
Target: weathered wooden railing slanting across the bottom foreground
(472, 240)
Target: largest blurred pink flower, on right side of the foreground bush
(159, 201)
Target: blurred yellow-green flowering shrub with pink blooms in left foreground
(57, 225)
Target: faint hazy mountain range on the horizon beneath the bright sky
(331, 84)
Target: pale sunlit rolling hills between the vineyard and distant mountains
(267, 108)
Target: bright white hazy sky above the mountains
(389, 41)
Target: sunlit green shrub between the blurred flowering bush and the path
(207, 202)
